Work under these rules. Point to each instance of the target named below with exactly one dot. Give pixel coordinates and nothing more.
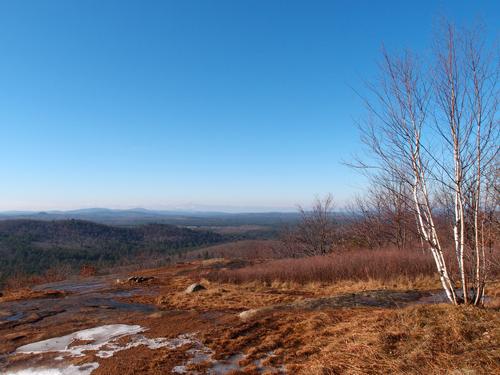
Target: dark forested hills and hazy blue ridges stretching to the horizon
(34, 242)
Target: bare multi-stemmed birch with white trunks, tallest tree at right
(435, 128)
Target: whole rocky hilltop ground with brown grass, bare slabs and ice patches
(152, 323)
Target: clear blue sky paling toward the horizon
(215, 104)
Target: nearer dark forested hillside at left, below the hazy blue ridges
(31, 246)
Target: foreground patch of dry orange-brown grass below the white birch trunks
(425, 339)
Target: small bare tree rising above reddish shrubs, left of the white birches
(314, 234)
